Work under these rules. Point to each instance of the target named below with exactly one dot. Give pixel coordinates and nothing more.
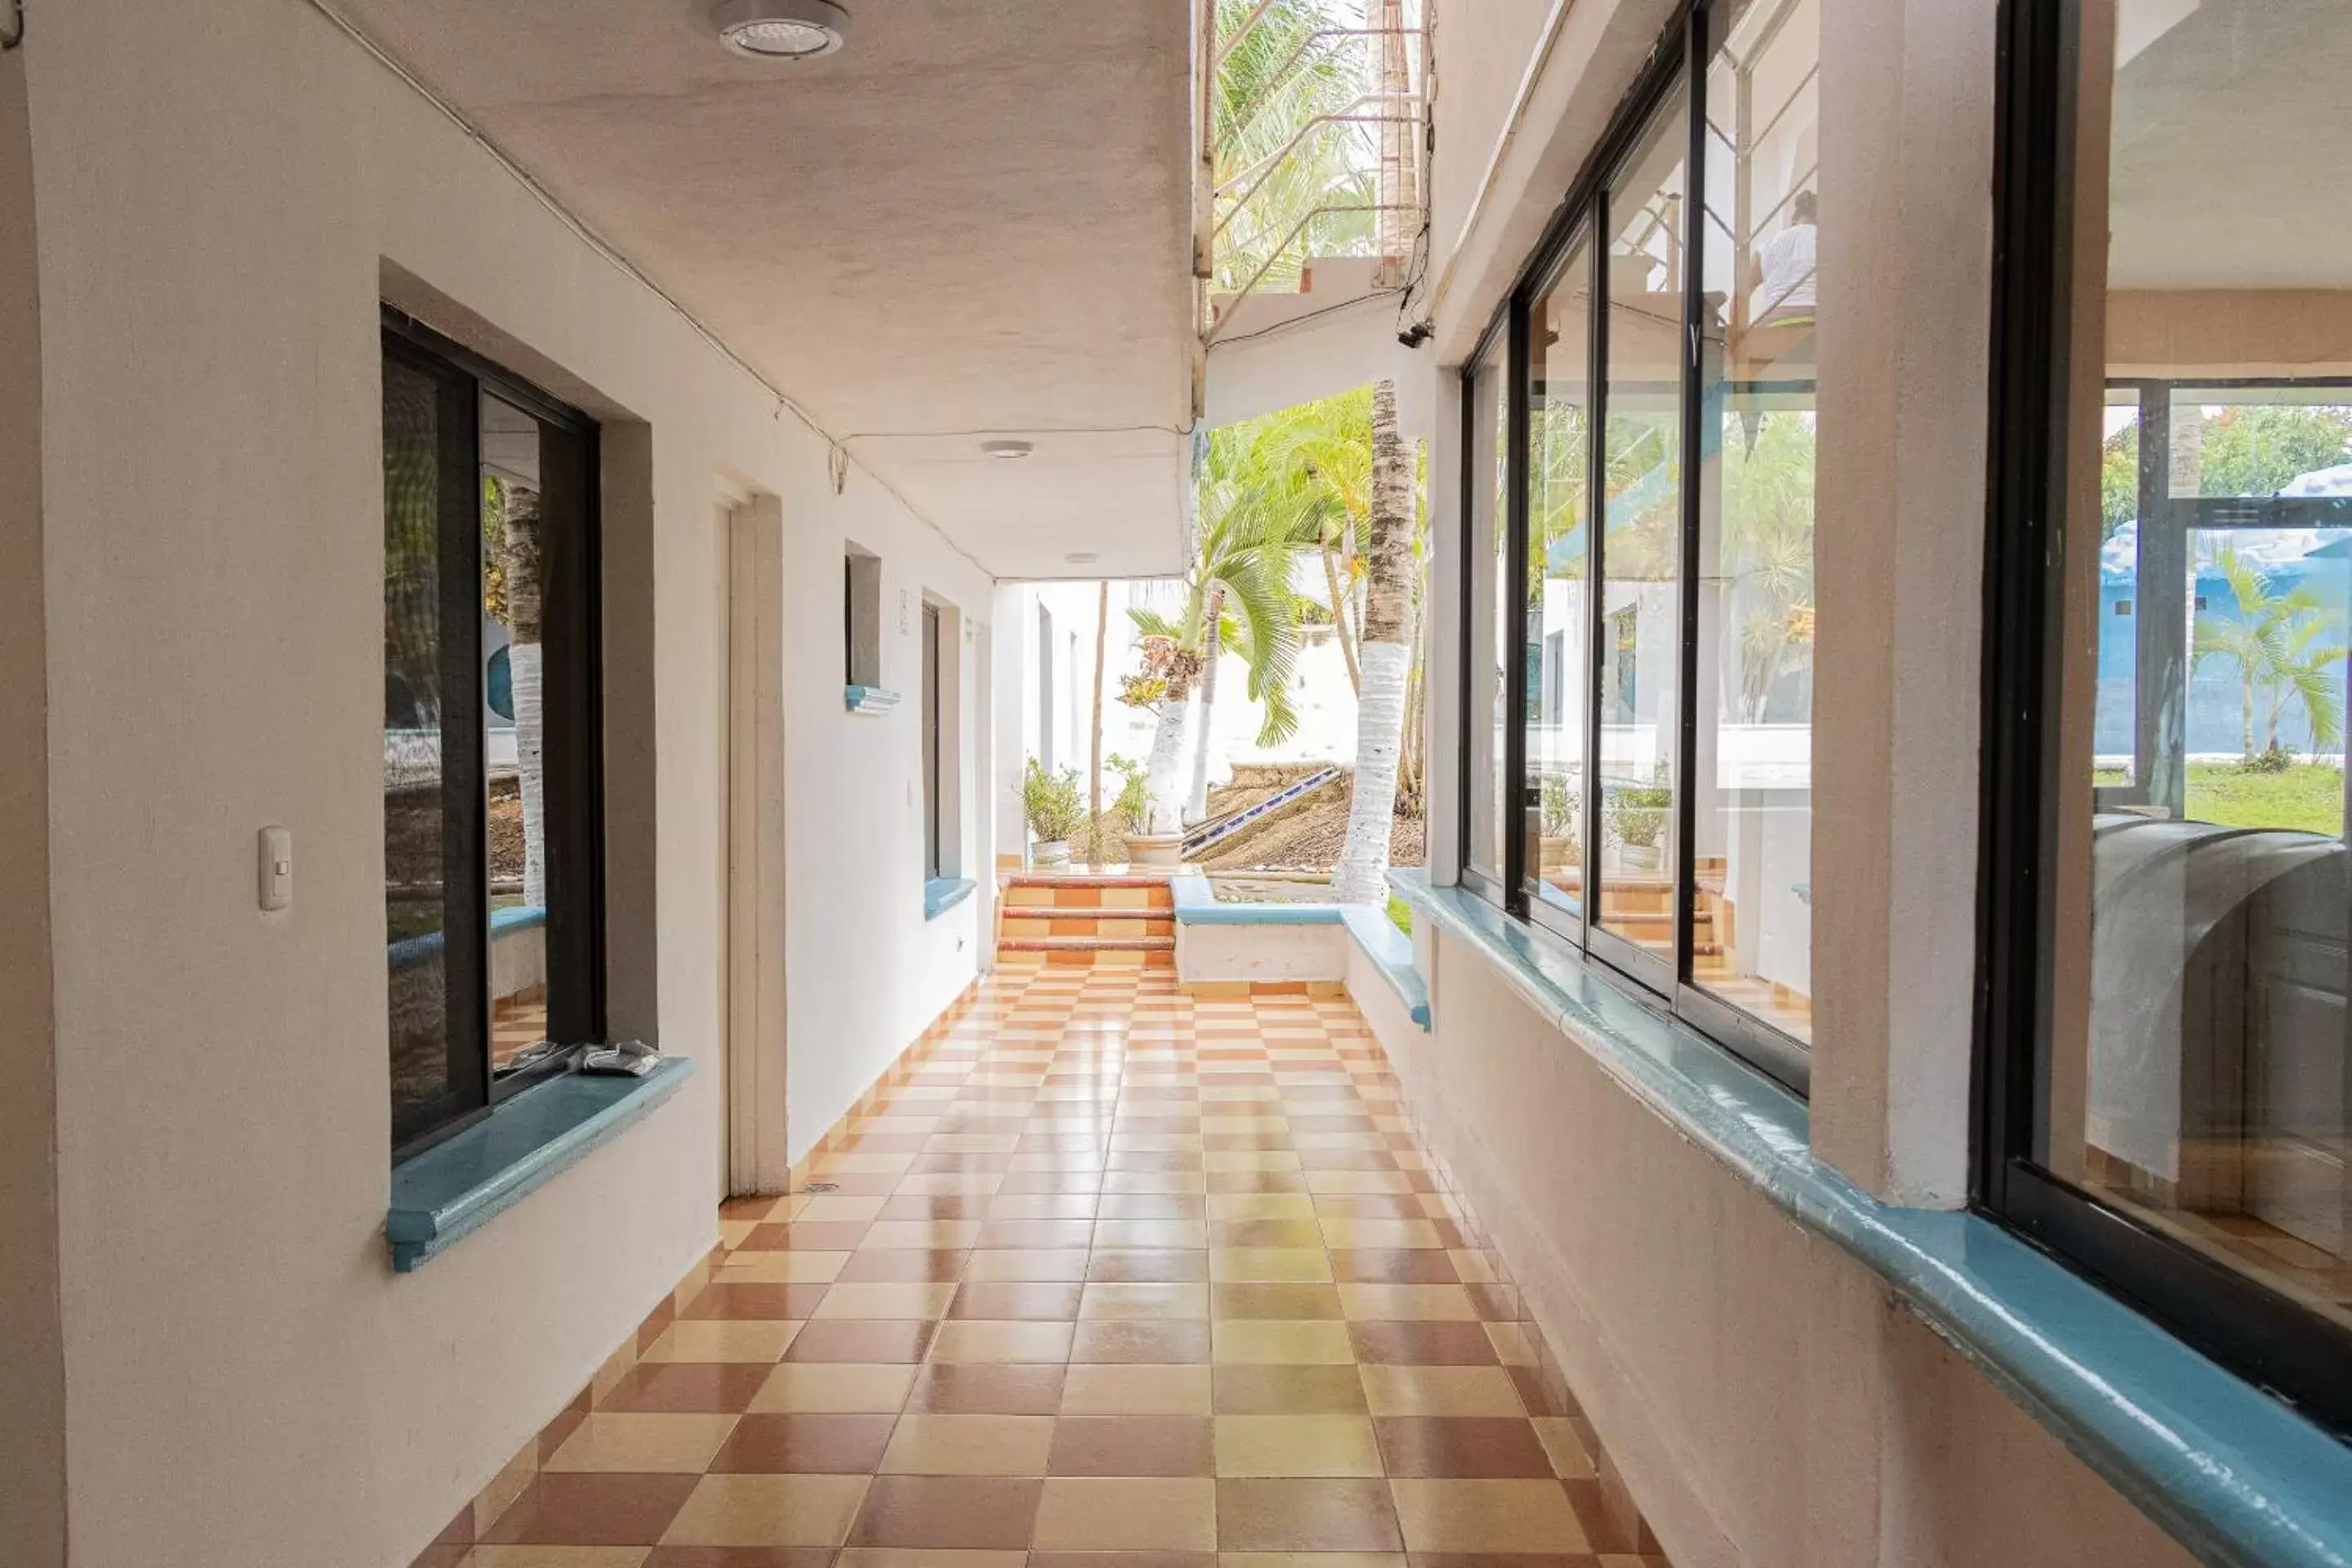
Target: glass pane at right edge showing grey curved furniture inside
(2198, 1050)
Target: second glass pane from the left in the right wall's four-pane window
(1558, 572)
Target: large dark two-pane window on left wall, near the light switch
(493, 843)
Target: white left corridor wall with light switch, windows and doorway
(248, 1386)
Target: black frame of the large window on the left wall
(575, 730)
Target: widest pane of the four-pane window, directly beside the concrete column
(1753, 779)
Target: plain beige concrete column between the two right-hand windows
(1906, 274)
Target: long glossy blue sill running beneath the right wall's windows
(2231, 1473)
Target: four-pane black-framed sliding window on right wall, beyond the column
(1641, 464)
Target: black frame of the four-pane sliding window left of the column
(1678, 62)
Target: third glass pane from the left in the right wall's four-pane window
(1643, 540)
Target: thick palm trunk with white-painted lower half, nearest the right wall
(1389, 652)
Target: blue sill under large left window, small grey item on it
(457, 1186)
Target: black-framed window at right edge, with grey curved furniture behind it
(2167, 1085)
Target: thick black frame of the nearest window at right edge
(2257, 1332)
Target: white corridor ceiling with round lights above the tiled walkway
(968, 222)
